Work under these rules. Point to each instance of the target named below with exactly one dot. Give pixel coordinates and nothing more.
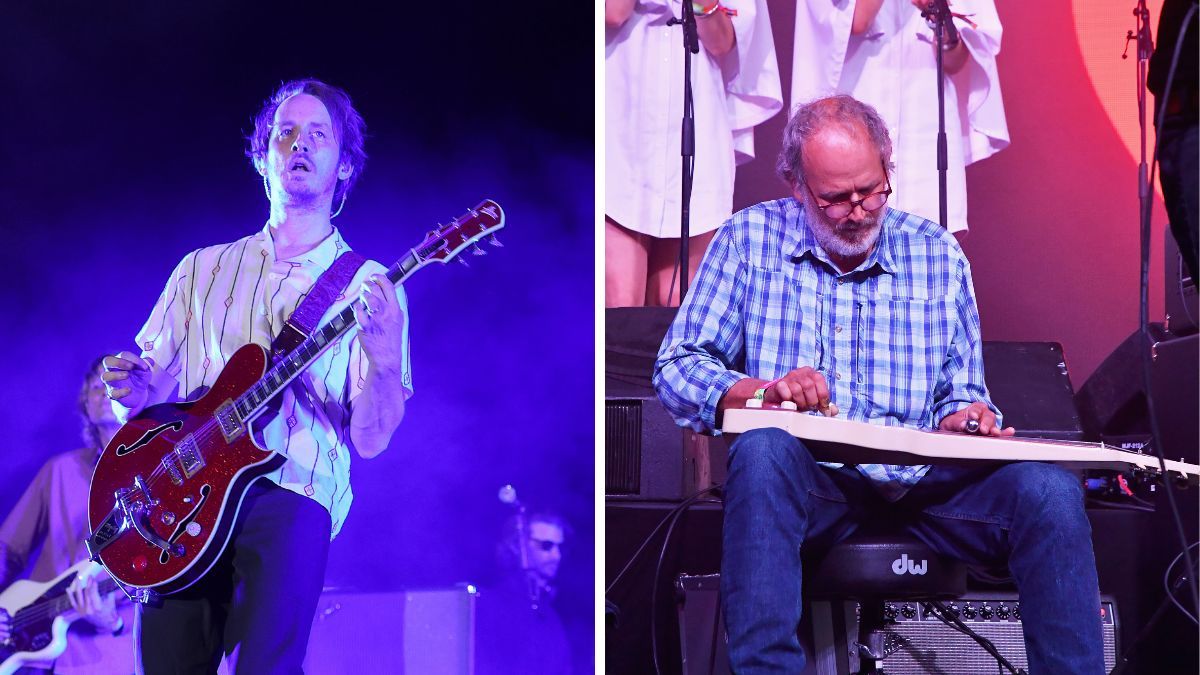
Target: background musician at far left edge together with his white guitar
(45, 534)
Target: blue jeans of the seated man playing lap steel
(1028, 516)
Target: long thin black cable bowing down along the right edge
(1145, 326)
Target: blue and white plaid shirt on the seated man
(897, 339)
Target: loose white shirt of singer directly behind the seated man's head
(892, 67)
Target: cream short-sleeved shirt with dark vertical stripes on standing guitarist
(221, 298)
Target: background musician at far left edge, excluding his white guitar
(43, 537)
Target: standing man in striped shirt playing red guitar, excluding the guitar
(257, 602)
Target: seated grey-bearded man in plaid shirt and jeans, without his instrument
(833, 302)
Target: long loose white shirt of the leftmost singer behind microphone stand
(644, 112)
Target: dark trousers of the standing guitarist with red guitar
(256, 604)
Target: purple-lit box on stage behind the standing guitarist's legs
(417, 632)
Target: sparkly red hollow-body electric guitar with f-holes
(167, 489)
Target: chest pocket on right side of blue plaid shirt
(902, 349)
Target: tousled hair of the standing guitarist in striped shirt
(349, 128)
